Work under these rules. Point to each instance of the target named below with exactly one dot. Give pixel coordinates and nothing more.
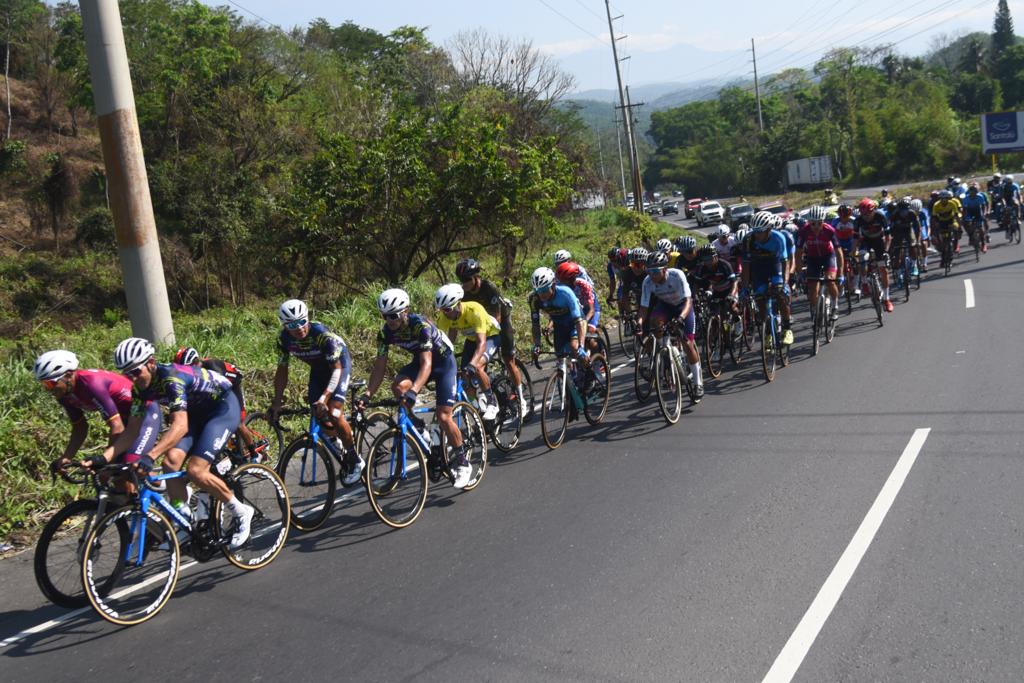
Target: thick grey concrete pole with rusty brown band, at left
(146, 289)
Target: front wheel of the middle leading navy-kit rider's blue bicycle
(310, 480)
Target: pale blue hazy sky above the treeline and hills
(668, 40)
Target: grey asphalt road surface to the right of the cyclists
(645, 552)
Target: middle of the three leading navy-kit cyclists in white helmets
(330, 370)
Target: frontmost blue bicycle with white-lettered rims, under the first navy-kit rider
(139, 547)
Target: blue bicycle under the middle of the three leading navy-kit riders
(308, 463)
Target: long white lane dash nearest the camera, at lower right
(800, 643)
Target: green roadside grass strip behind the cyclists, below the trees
(35, 432)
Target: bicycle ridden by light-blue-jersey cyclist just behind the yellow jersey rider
(571, 391)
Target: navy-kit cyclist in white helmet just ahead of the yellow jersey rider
(434, 359)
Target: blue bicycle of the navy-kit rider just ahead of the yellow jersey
(406, 456)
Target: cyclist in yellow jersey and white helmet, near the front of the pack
(482, 332)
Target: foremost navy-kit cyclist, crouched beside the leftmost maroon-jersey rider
(203, 415)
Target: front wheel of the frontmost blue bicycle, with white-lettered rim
(143, 552)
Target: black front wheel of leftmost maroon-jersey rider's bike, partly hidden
(58, 563)
